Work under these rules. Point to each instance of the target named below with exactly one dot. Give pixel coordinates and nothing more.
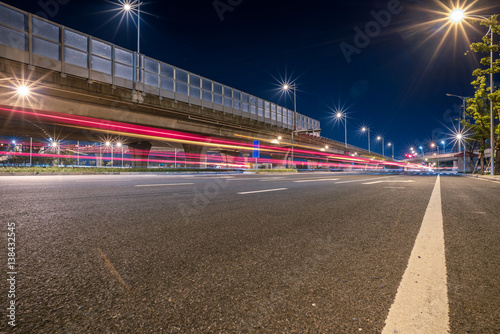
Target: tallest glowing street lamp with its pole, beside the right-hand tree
(457, 16)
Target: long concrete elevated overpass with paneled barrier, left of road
(71, 73)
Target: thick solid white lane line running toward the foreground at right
(421, 303)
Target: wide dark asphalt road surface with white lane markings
(306, 253)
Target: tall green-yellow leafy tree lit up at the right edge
(478, 107)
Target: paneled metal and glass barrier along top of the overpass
(35, 41)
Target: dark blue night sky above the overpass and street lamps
(395, 83)
